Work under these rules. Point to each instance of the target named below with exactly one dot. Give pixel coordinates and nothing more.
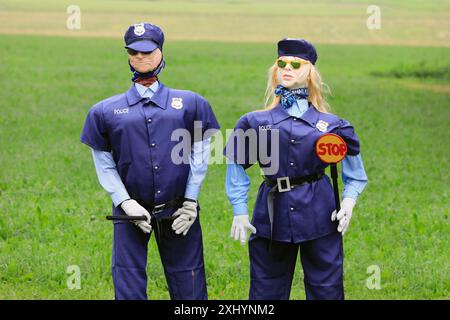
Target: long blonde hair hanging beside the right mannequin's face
(316, 88)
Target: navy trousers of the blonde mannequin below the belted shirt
(271, 272)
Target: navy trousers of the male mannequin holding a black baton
(181, 257)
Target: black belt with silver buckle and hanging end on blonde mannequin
(284, 184)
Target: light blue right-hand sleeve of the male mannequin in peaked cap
(199, 166)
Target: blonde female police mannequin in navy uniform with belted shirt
(303, 208)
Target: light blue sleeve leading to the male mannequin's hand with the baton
(109, 177)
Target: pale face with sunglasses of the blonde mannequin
(291, 78)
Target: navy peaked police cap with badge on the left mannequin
(144, 37)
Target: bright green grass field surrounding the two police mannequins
(52, 208)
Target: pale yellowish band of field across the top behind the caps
(406, 22)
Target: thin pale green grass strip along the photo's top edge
(232, 7)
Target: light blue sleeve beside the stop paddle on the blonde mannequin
(354, 176)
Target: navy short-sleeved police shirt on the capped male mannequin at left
(138, 130)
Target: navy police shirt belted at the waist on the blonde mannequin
(304, 212)
